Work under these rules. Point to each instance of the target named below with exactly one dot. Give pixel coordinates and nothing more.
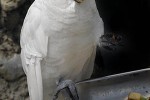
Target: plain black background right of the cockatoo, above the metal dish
(129, 17)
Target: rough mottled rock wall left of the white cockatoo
(13, 85)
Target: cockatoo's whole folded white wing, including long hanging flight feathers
(34, 46)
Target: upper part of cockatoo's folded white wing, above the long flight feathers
(32, 36)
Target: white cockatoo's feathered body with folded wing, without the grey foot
(58, 41)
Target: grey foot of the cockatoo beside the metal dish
(70, 88)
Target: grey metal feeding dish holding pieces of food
(115, 87)
